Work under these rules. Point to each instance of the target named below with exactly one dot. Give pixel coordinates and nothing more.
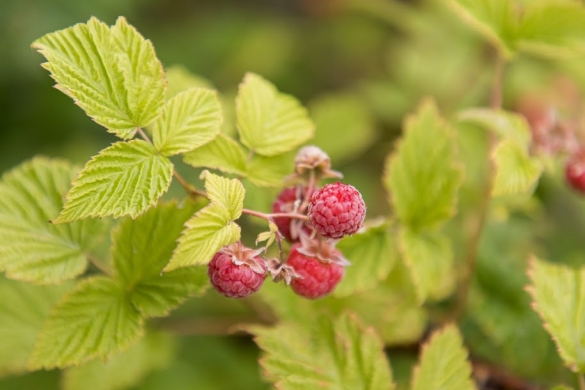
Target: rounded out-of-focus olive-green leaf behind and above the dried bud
(344, 126)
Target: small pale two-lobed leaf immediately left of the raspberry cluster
(213, 227)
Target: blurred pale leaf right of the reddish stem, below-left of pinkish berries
(516, 171)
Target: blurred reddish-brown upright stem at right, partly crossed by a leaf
(471, 255)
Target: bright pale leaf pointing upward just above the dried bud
(270, 122)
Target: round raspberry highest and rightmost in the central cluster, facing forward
(336, 210)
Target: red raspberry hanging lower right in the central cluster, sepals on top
(318, 278)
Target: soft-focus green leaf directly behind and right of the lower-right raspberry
(371, 256)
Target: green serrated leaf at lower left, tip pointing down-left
(96, 319)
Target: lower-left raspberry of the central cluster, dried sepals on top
(236, 271)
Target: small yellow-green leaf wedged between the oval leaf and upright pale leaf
(223, 153)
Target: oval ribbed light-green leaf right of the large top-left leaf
(189, 120)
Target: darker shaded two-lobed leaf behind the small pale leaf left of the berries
(142, 248)
